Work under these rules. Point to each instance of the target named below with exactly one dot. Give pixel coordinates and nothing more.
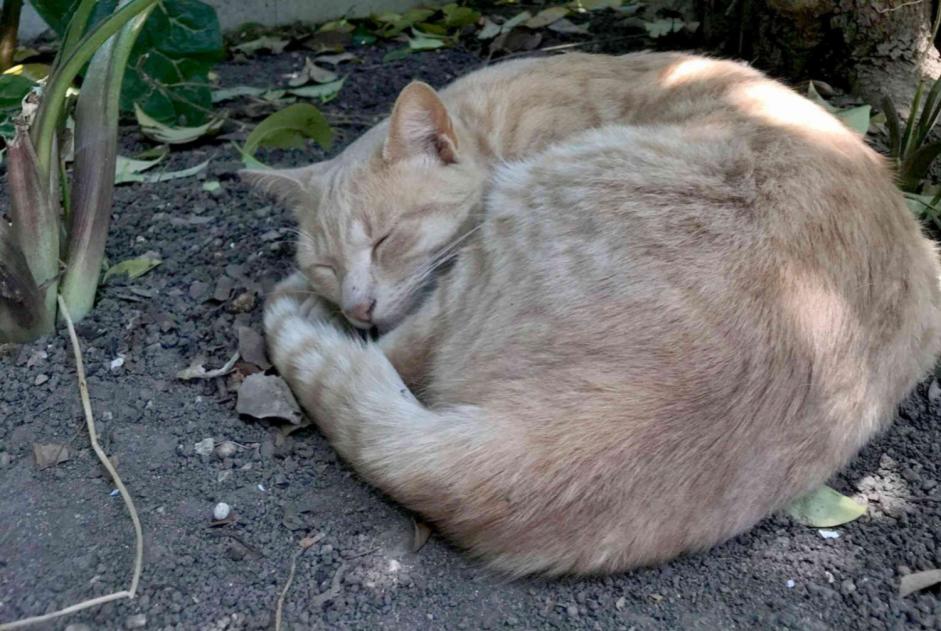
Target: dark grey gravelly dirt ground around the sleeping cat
(64, 536)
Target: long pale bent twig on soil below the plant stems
(106, 463)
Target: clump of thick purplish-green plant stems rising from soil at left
(33, 247)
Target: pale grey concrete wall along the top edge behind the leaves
(234, 13)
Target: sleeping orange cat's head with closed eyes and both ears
(377, 220)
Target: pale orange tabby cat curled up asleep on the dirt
(680, 296)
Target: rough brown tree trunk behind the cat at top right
(872, 47)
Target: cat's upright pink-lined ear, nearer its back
(420, 124)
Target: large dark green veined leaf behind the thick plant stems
(168, 71)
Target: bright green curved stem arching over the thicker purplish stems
(53, 100)
